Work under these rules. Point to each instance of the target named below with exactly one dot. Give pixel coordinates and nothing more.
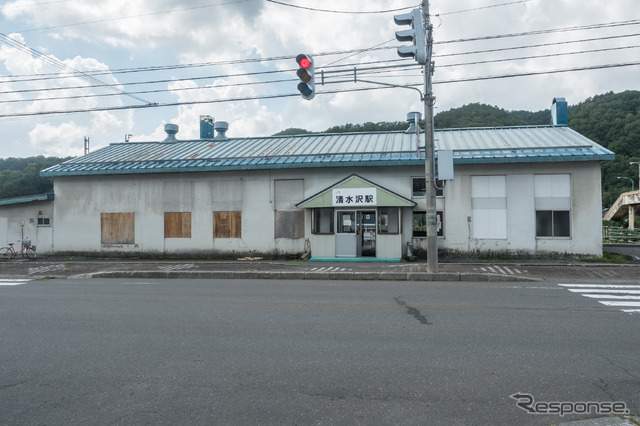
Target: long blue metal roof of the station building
(470, 146)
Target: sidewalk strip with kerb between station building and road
(305, 270)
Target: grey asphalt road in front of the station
(307, 352)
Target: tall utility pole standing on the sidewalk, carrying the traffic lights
(429, 151)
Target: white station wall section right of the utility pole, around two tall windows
(586, 222)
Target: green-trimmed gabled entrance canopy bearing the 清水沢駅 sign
(357, 192)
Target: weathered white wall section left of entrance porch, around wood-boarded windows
(81, 200)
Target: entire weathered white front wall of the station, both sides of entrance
(80, 200)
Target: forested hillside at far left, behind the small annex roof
(21, 176)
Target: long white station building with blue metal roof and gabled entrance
(521, 190)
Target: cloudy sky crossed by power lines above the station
(127, 67)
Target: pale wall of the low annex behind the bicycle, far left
(12, 216)
